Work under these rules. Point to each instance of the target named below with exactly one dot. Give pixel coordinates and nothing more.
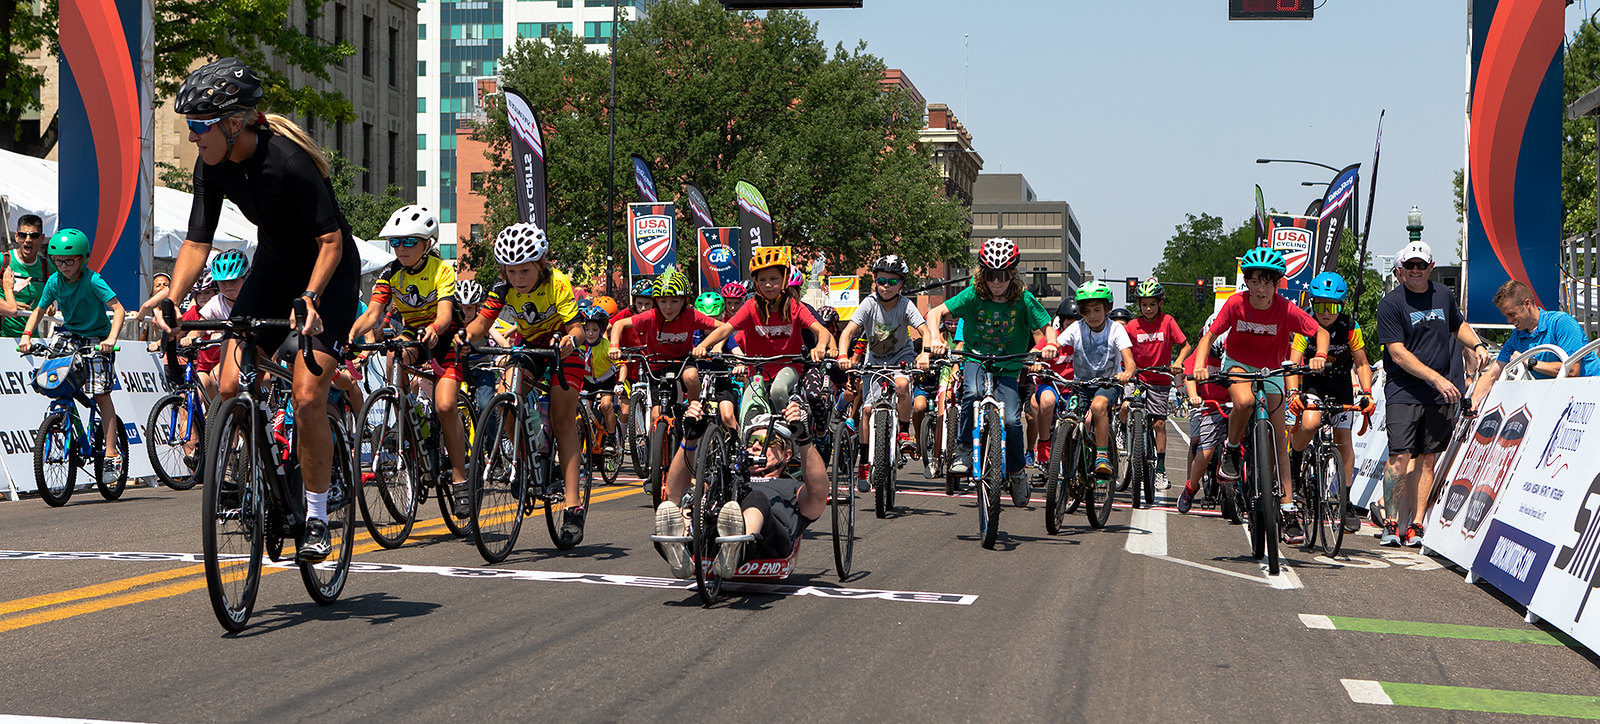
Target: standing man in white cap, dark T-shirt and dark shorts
(1420, 326)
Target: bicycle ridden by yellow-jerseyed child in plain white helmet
(401, 446)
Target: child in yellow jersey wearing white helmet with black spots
(542, 304)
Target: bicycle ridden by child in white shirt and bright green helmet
(1070, 477)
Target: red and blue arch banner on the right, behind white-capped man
(1514, 153)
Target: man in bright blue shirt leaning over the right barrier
(1534, 328)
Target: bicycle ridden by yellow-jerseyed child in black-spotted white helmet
(513, 465)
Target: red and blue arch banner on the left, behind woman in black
(100, 137)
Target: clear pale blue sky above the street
(1142, 113)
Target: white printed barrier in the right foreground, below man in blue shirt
(1519, 505)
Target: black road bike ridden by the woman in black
(252, 480)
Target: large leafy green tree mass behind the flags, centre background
(714, 99)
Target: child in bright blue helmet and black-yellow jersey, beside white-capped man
(1346, 353)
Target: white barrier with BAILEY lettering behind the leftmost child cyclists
(140, 385)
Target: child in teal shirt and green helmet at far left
(82, 299)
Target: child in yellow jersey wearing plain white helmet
(422, 289)
